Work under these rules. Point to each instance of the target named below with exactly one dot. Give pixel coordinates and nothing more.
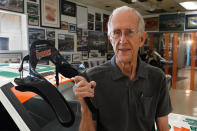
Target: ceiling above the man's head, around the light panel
(144, 8)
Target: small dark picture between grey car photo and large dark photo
(82, 43)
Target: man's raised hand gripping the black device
(82, 89)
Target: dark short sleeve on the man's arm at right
(164, 106)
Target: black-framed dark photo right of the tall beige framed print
(68, 8)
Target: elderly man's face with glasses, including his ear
(127, 44)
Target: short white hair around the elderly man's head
(126, 8)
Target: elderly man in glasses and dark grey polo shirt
(129, 94)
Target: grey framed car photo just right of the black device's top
(65, 42)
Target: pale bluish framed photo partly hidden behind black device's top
(36, 34)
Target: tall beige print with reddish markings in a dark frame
(50, 13)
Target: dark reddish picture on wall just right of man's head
(152, 24)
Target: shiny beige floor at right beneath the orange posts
(184, 101)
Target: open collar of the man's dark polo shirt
(140, 73)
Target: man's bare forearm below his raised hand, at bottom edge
(87, 124)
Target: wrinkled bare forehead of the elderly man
(125, 19)
